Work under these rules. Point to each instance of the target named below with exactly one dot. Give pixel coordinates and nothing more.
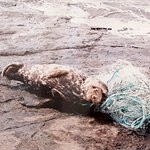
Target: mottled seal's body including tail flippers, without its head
(50, 80)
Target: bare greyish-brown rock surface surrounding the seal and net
(87, 35)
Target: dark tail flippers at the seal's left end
(11, 70)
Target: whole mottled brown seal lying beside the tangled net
(57, 81)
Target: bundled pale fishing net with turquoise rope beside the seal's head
(128, 101)
